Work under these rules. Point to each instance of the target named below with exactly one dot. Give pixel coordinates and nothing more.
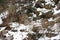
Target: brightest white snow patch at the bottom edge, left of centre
(18, 35)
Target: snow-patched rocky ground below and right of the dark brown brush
(43, 25)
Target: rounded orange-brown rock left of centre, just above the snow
(23, 19)
